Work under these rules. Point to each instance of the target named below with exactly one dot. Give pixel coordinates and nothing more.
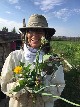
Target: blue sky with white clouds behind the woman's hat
(63, 15)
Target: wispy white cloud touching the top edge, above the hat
(47, 5)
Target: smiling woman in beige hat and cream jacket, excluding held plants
(36, 29)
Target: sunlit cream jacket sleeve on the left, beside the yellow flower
(6, 76)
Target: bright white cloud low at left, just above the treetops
(9, 24)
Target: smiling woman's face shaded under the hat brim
(34, 37)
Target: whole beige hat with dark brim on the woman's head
(38, 22)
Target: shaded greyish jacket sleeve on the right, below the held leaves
(58, 80)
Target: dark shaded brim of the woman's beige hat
(49, 31)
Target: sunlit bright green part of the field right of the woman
(70, 50)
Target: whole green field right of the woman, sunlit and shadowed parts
(70, 51)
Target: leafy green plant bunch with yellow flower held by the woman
(30, 77)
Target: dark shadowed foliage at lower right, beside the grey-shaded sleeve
(72, 88)
